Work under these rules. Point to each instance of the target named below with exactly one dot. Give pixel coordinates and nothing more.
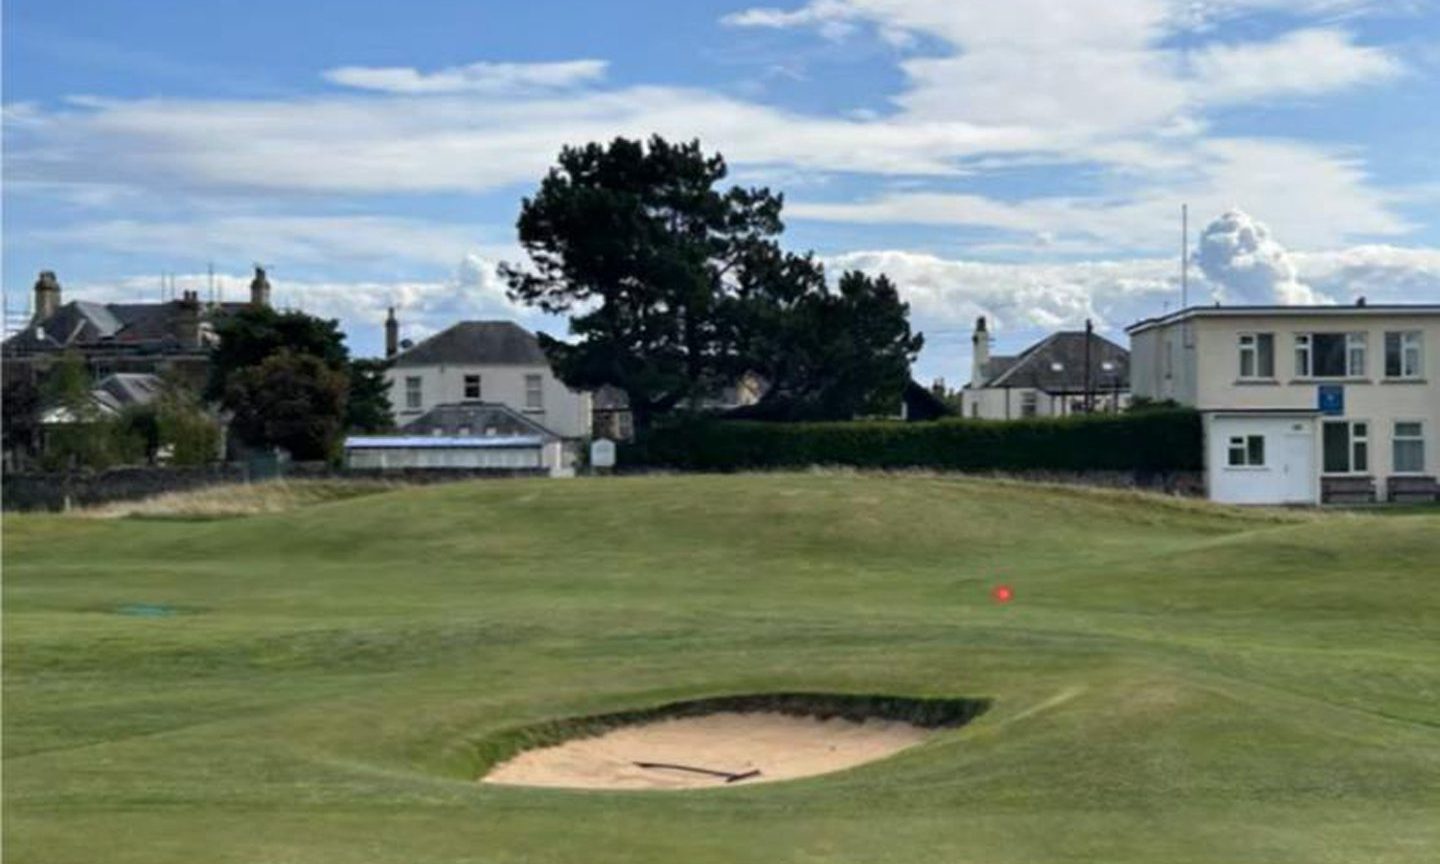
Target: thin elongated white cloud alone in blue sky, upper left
(474, 78)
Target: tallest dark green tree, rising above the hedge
(642, 248)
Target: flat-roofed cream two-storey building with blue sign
(1304, 404)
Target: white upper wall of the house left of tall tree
(565, 413)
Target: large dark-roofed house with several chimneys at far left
(172, 336)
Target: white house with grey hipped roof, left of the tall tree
(493, 362)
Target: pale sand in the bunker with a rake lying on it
(780, 747)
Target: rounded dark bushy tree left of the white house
(293, 401)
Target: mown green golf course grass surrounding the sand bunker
(1173, 683)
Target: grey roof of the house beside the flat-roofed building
(1056, 365)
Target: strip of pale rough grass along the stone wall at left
(254, 499)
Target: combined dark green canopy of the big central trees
(676, 287)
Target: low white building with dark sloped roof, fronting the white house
(474, 436)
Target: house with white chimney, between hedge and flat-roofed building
(1065, 374)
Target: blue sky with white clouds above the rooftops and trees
(1023, 161)
